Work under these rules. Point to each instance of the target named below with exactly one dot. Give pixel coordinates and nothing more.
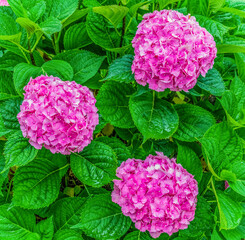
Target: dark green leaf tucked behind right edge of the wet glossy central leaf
(194, 121)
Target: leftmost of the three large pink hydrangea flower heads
(59, 115)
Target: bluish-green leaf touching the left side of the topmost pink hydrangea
(120, 70)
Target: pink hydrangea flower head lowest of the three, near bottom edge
(158, 194)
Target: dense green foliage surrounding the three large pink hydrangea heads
(45, 196)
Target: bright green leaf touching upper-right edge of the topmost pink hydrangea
(216, 29)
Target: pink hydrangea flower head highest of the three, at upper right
(171, 51)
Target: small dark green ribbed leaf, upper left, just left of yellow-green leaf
(76, 37)
